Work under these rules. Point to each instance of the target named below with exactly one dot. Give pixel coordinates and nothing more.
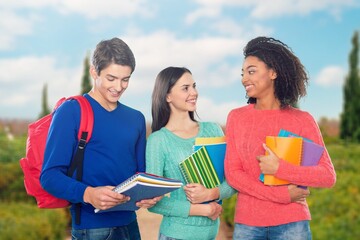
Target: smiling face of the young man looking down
(110, 84)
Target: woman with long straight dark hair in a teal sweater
(174, 130)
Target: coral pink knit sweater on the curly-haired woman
(257, 204)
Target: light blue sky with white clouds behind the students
(45, 41)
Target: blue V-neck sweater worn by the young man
(115, 151)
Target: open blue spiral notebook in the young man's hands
(142, 186)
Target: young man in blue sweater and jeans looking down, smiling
(115, 151)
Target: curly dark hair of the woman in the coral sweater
(292, 78)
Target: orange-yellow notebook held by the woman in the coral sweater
(286, 148)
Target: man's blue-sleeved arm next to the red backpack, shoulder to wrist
(61, 142)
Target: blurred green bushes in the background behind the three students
(335, 212)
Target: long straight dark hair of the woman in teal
(160, 108)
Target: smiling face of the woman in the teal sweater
(183, 95)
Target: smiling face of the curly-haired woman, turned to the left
(258, 79)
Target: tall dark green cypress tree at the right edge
(350, 117)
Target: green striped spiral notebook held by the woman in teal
(198, 168)
